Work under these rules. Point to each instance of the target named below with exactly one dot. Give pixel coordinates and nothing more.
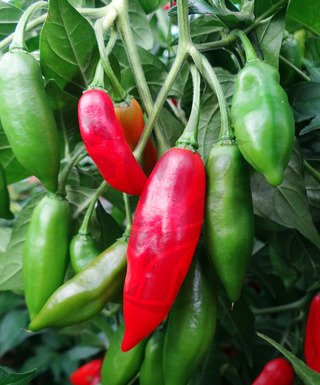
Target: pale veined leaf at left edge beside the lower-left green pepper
(11, 259)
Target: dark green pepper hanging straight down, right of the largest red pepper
(229, 215)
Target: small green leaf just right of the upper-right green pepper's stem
(270, 34)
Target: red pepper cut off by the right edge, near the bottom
(312, 338)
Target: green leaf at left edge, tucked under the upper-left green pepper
(14, 171)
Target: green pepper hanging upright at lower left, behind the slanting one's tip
(45, 251)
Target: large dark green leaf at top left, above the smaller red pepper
(68, 48)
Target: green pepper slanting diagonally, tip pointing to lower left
(86, 294)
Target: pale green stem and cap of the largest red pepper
(189, 138)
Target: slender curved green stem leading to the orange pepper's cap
(119, 94)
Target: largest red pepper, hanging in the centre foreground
(165, 232)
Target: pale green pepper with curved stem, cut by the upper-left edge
(25, 113)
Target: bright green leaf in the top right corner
(304, 13)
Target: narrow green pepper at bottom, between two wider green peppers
(151, 371)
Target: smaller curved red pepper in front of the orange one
(105, 142)
